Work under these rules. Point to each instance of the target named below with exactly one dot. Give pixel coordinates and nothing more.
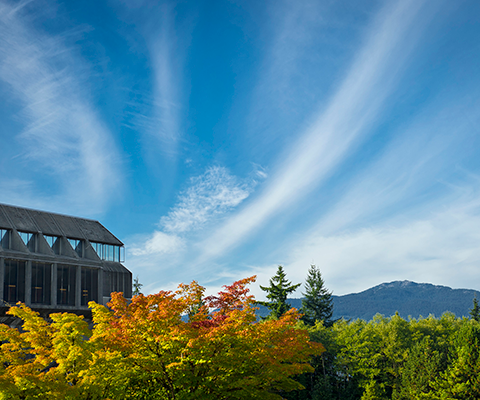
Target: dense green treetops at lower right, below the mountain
(392, 358)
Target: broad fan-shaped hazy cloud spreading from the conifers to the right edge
(411, 214)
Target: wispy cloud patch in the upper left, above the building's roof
(63, 137)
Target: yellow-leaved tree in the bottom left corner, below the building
(47, 360)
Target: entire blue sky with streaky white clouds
(220, 139)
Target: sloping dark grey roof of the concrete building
(33, 221)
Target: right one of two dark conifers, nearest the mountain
(317, 304)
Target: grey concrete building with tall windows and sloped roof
(55, 263)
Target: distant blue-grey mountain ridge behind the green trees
(408, 298)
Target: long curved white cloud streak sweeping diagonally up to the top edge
(344, 122)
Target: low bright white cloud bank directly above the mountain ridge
(441, 248)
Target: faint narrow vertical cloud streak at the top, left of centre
(158, 115)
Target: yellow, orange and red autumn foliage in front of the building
(146, 349)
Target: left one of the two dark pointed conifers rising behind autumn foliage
(277, 293)
